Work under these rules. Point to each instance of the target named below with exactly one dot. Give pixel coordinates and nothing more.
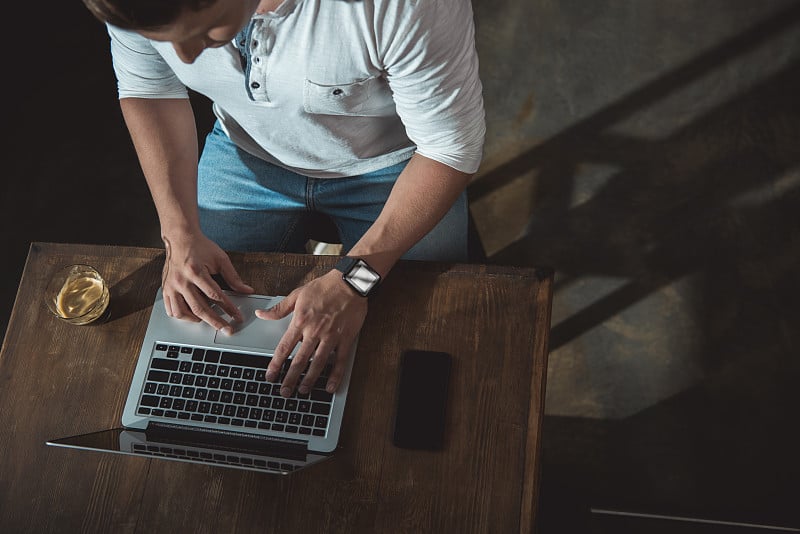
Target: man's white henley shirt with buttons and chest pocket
(334, 87)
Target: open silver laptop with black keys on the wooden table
(201, 396)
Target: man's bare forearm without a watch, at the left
(165, 138)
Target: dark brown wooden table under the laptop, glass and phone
(59, 380)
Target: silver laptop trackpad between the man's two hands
(253, 332)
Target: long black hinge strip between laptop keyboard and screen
(225, 440)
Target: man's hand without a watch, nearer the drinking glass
(187, 286)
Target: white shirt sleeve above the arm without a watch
(141, 71)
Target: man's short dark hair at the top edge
(142, 14)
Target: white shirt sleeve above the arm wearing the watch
(431, 64)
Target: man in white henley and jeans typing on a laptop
(367, 110)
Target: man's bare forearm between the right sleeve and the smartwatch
(422, 195)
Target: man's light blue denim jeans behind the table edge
(247, 204)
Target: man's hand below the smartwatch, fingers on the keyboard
(327, 318)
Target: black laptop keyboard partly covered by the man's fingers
(230, 389)
